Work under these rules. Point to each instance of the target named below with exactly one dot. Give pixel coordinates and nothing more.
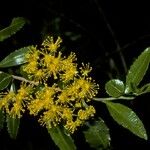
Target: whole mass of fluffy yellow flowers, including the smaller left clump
(63, 93)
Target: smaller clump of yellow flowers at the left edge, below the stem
(14, 102)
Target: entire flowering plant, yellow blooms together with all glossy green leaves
(60, 94)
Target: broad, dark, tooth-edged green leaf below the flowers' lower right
(97, 135)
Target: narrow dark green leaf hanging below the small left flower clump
(13, 126)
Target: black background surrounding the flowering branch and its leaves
(106, 33)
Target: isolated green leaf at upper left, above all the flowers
(16, 25)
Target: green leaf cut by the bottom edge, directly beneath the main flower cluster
(61, 138)
